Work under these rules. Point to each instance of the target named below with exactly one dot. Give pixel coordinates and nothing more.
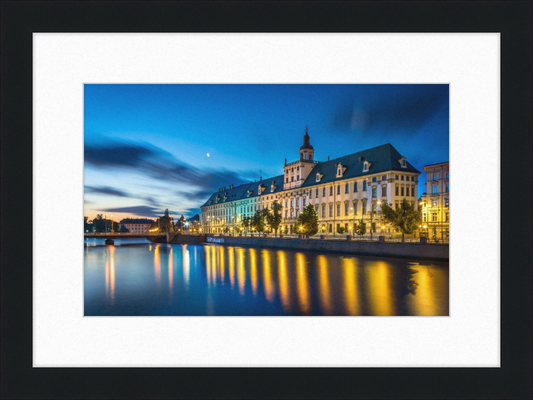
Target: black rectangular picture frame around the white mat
(511, 18)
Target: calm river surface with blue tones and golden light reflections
(138, 278)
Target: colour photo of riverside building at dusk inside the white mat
(266, 200)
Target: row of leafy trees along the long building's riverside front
(404, 219)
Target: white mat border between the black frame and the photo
(468, 337)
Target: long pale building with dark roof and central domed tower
(343, 191)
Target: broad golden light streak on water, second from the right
(379, 289)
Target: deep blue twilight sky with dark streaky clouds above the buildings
(152, 147)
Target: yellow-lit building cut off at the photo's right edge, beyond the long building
(435, 203)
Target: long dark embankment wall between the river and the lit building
(438, 252)
